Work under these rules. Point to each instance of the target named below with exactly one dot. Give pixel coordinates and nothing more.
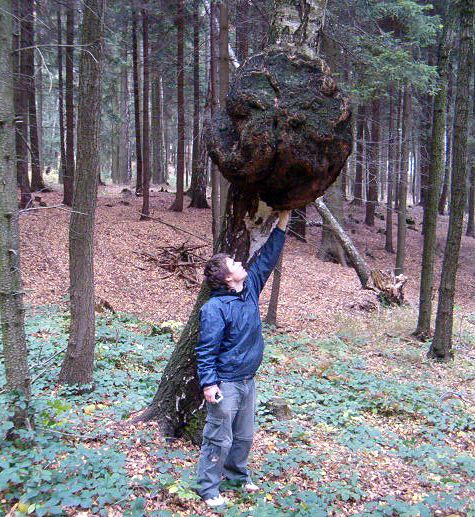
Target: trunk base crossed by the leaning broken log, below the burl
(330, 248)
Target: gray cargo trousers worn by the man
(227, 437)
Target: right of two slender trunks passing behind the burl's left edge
(223, 85)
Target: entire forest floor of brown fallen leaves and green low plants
(376, 428)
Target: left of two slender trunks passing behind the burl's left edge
(215, 194)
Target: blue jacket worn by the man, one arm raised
(230, 345)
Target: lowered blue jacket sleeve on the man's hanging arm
(212, 325)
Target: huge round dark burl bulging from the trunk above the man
(285, 130)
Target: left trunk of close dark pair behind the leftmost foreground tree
(21, 112)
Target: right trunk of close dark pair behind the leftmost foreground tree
(27, 23)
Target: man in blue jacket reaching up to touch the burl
(229, 352)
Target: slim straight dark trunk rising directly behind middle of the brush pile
(177, 205)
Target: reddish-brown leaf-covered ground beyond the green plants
(314, 295)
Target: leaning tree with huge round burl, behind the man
(274, 155)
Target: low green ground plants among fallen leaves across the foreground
(371, 433)
